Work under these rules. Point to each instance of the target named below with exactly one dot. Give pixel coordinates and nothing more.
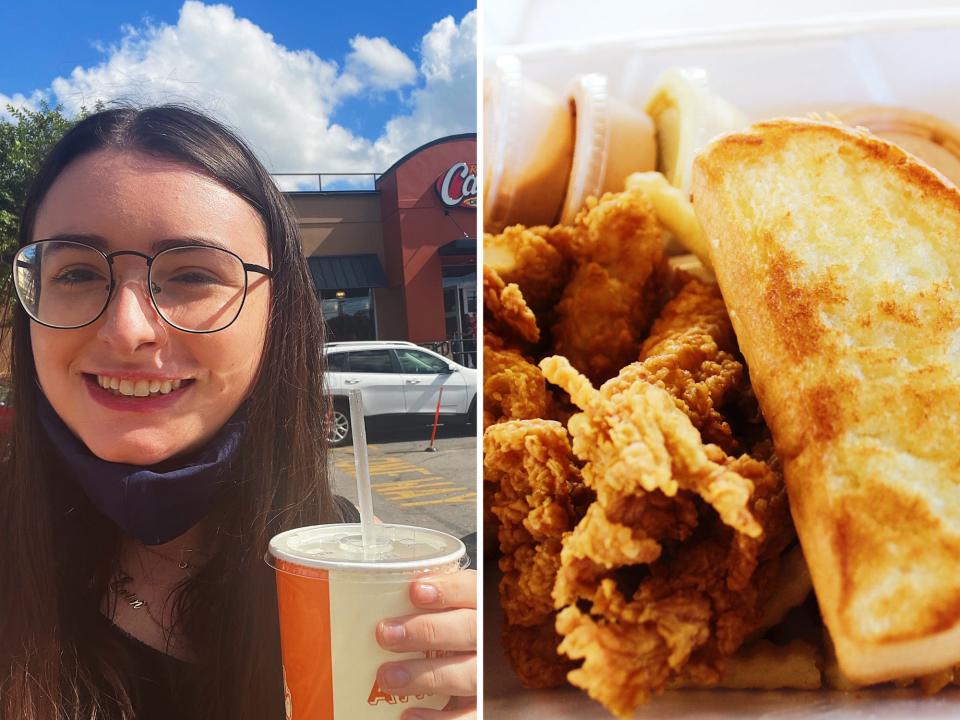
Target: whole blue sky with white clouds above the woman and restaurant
(359, 83)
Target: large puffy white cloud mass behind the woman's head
(282, 100)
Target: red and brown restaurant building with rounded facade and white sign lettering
(399, 261)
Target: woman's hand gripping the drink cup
(448, 624)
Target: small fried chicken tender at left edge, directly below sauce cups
(527, 257)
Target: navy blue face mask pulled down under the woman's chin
(157, 503)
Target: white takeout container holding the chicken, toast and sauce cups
(911, 61)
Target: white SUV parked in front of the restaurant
(396, 378)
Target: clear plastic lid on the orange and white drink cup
(339, 547)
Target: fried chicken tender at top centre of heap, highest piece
(616, 246)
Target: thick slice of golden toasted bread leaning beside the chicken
(838, 255)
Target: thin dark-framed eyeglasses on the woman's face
(195, 288)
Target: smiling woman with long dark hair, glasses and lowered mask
(170, 408)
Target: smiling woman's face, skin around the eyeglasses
(130, 201)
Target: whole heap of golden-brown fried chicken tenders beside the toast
(654, 563)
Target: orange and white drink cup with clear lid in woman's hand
(332, 592)
